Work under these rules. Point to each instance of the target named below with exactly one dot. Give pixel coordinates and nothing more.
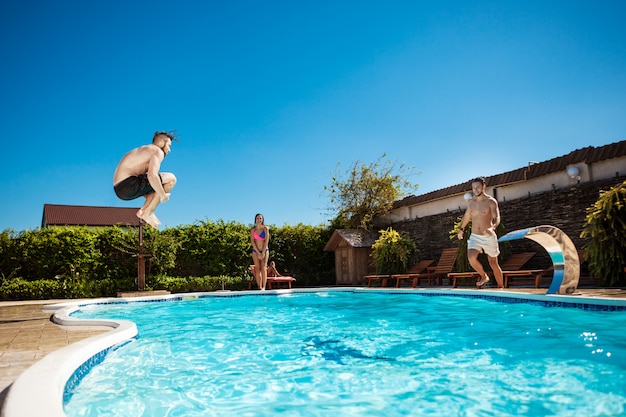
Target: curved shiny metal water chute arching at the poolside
(562, 252)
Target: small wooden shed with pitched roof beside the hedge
(352, 249)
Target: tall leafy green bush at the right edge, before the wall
(605, 226)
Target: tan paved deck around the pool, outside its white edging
(27, 334)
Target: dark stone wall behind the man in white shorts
(564, 208)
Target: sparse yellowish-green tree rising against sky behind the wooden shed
(365, 192)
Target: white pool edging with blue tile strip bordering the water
(47, 380)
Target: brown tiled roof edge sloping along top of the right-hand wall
(586, 155)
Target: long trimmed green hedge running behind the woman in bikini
(73, 262)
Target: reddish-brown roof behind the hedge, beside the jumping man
(62, 215)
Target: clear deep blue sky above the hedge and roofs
(267, 96)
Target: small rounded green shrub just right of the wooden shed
(392, 252)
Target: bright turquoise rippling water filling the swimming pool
(365, 354)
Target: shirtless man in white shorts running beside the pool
(482, 210)
